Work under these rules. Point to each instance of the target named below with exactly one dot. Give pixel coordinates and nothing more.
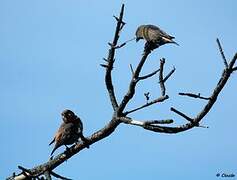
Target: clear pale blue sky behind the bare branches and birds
(50, 53)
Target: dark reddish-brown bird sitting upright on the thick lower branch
(69, 132)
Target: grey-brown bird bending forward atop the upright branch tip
(153, 35)
